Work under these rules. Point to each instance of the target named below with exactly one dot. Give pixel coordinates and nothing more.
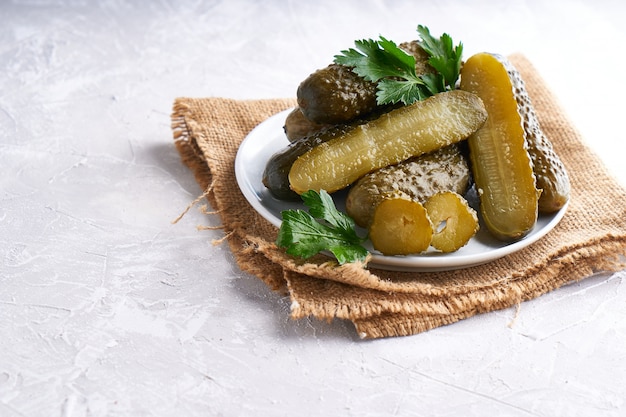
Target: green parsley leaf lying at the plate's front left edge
(323, 228)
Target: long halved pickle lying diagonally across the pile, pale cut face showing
(409, 131)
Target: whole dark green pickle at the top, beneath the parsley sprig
(336, 94)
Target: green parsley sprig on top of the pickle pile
(383, 62)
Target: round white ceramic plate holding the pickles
(268, 138)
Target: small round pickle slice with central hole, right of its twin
(454, 221)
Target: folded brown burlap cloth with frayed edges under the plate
(590, 238)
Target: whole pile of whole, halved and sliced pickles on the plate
(408, 166)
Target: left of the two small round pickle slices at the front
(400, 226)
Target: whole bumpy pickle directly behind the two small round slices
(418, 178)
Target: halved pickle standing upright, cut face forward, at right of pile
(501, 166)
